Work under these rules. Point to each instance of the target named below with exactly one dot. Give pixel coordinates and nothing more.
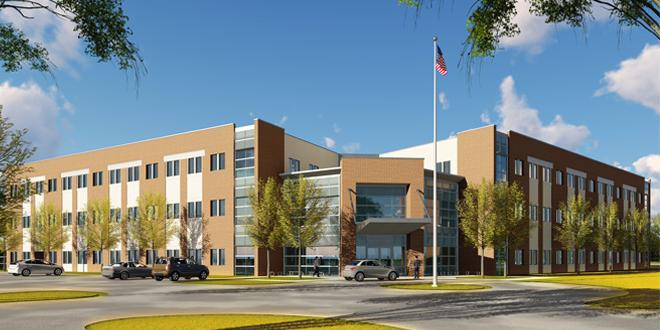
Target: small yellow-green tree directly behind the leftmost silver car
(47, 233)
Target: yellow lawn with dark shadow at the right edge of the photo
(642, 289)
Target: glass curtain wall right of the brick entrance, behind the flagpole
(447, 228)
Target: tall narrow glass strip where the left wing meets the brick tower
(243, 181)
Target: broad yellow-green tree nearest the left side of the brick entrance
(301, 214)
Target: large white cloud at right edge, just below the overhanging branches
(637, 79)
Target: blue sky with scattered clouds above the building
(356, 76)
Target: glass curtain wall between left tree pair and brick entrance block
(328, 246)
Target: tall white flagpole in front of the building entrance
(435, 164)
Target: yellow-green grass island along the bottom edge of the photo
(225, 321)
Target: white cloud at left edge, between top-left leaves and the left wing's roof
(29, 106)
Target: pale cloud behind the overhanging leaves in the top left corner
(54, 33)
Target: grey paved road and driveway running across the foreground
(510, 304)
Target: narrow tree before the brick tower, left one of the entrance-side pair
(263, 226)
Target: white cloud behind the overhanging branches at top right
(533, 30)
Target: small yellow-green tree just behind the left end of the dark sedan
(102, 231)
